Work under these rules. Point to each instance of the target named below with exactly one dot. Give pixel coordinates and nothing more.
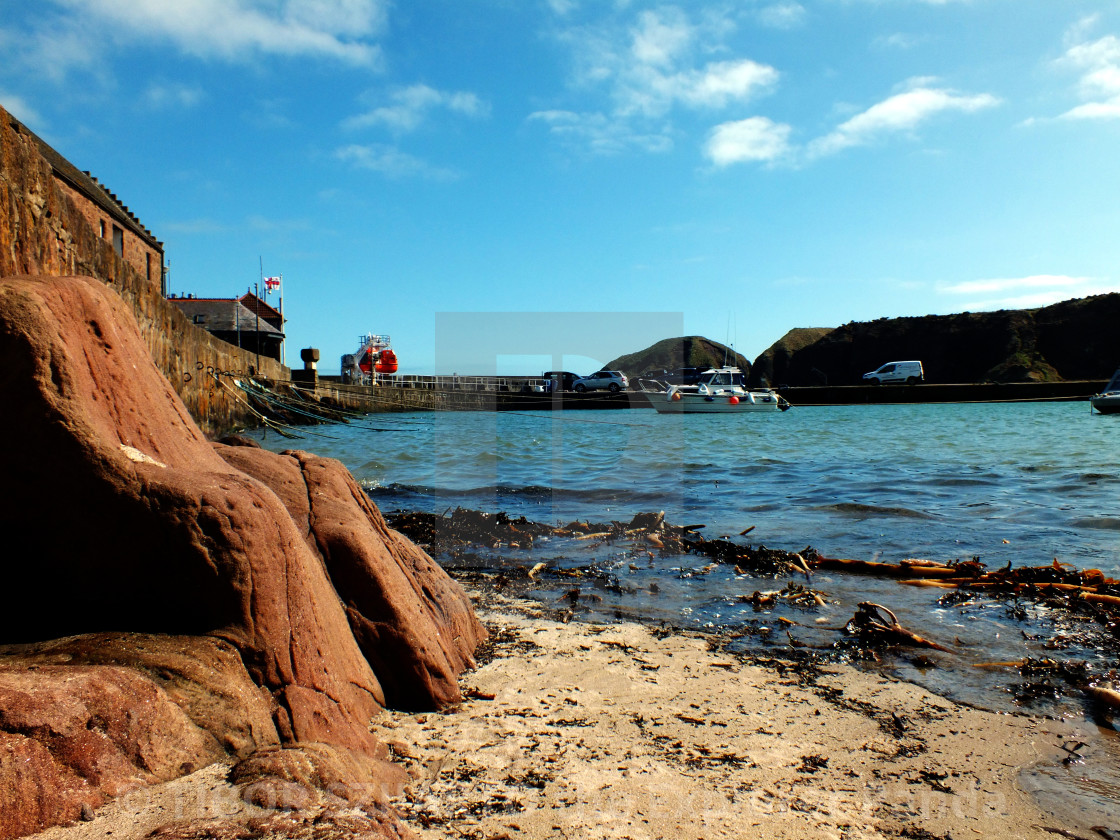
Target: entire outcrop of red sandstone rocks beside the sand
(180, 602)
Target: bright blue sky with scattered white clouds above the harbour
(738, 170)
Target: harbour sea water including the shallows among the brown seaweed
(1020, 483)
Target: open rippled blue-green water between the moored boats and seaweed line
(1006, 482)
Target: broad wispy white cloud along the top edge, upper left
(226, 30)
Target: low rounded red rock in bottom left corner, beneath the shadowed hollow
(86, 717)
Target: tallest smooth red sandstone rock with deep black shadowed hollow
(162, 535)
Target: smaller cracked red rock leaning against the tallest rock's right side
(414, 623)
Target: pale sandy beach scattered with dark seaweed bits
(594, 731)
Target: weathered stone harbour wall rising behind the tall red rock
(44, 231)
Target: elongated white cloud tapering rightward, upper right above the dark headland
(900, 114)
